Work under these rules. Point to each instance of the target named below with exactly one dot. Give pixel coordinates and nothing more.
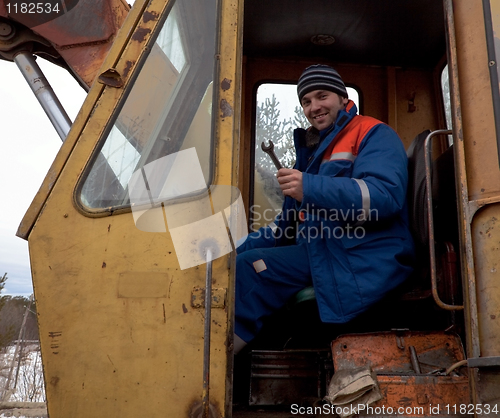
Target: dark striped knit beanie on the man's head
(320, 77)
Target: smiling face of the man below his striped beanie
(321, 107)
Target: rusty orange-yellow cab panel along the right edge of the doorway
(474, 53)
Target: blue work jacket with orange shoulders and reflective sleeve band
(353, 217)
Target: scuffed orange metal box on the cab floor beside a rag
(410, 384)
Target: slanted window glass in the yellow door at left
(168, 109)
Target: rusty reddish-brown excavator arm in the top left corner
(77, 37)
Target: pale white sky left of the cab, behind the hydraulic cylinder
(29, 144)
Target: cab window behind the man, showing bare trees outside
(278, 114)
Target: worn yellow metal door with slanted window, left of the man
(139, 198)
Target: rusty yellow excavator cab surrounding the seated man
(133, 233)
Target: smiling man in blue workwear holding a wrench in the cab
(344, 224)
